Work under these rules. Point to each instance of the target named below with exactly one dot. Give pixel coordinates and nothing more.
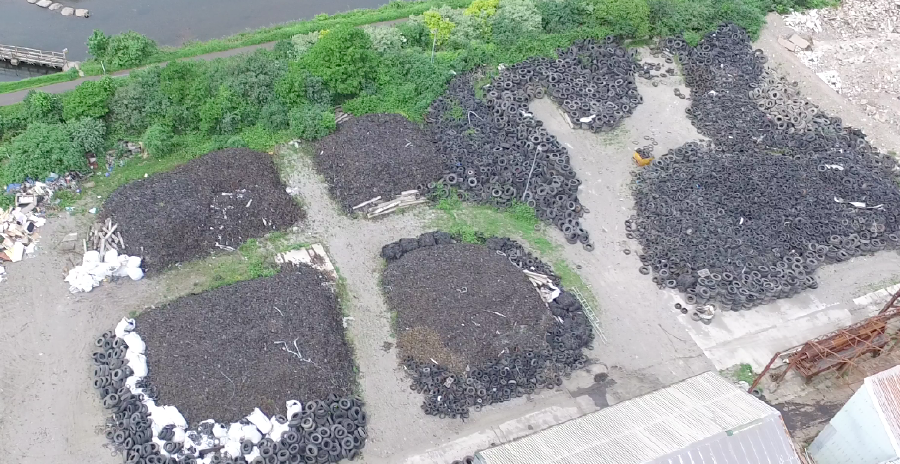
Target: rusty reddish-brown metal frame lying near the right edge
(840, 346)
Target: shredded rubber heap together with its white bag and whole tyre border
(215, 355)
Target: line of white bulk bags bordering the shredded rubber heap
(229, 437)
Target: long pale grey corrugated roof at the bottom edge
(703, 419)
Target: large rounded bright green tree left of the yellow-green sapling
(344, 59)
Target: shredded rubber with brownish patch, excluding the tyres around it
(462, 305)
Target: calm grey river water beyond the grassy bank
(168, 22)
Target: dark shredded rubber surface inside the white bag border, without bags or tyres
(214, 355)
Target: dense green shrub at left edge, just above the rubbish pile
(41, 149)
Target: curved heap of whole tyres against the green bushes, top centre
(495, 151)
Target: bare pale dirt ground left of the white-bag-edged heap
(48, 409)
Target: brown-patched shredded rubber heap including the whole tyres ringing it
(472, 329)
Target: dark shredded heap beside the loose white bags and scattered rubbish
(224, 198)
